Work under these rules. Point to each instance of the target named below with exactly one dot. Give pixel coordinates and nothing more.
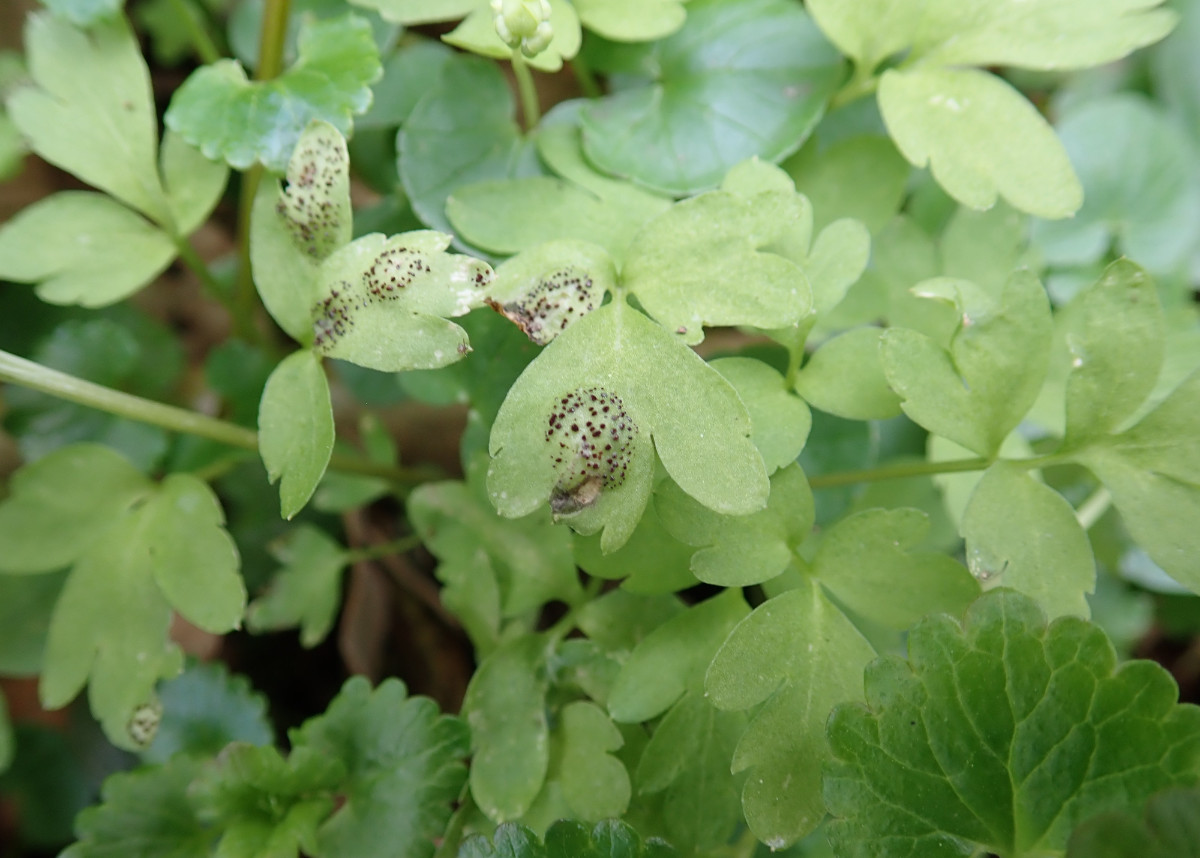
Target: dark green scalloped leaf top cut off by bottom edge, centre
(566, 839)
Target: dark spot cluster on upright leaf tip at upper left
(308, 206)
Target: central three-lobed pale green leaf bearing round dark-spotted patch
(652, 383)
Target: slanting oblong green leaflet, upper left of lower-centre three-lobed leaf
(673, 659)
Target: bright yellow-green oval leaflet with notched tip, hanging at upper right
(981, 139)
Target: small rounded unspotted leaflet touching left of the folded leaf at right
(845, 377)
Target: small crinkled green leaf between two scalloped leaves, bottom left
(265, 805)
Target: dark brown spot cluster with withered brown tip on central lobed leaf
(592, 443)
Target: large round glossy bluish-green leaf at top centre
(739, 80)
